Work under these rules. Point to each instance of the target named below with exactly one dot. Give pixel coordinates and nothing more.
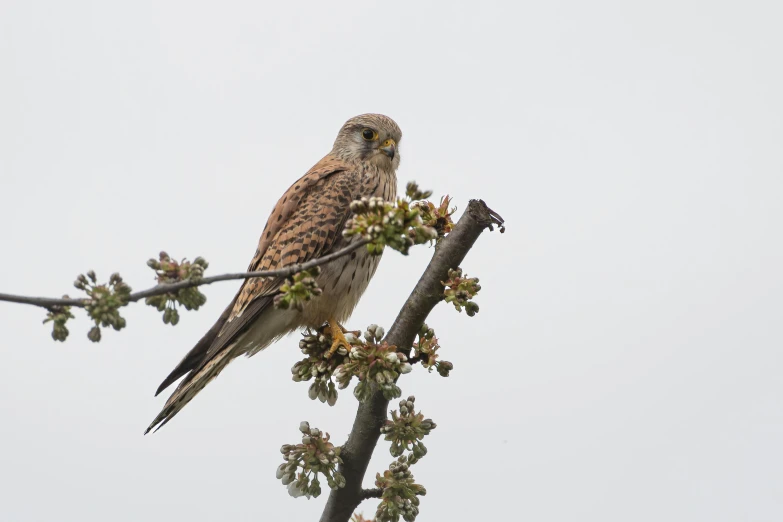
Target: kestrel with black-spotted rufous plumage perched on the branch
(306, 224)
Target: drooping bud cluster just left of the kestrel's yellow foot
(317, 366)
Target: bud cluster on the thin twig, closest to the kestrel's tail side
(170, 271)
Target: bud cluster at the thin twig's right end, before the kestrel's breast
(384, 223)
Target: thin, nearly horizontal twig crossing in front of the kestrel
(49, 302)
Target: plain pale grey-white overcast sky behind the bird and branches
(626, 361)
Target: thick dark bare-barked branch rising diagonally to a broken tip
(371, 415)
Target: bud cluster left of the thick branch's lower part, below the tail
(314, 455)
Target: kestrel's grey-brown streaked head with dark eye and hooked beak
(372, 138)
